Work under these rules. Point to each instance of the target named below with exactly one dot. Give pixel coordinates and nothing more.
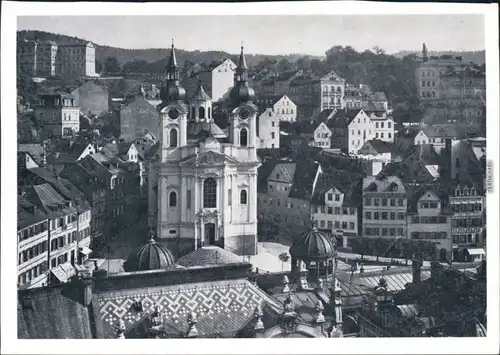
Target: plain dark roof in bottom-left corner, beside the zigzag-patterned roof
(69, 318)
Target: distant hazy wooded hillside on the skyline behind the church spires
(149, 55)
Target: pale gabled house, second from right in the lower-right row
(429, 219)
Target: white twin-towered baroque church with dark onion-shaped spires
(202, 179)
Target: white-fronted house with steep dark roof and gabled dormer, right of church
(336, 205)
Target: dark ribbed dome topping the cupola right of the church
(313, 245)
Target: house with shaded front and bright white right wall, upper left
(58, 115)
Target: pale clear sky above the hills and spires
(272, 34)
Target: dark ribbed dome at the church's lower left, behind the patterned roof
(150, 256)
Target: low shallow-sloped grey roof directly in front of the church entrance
(209, 255)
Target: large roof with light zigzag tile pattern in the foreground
(221, 306)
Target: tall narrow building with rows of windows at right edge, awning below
(468, 222)
